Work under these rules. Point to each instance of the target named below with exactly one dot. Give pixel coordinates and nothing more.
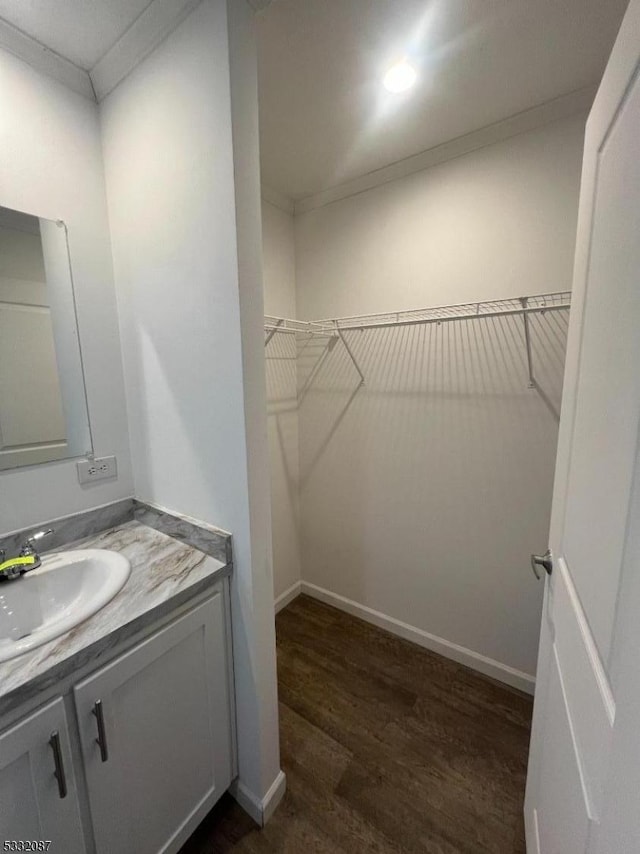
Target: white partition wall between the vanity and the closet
(187, 334)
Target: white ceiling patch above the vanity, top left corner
(82, 31)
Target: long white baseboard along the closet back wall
(481, 663)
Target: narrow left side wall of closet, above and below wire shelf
(278, 241)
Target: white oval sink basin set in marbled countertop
(66, 589)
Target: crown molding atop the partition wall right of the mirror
(150, 28)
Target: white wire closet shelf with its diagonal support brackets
(336, 326)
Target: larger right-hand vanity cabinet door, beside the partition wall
(156, 735)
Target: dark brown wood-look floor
(386, 747)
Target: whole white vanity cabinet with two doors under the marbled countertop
(153, 740)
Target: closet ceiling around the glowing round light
(325, 119)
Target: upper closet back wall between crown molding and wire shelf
(500, 221)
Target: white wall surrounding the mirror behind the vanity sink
(51, 166)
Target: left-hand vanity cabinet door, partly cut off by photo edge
(38, 798)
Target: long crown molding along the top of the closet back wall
(572, 104)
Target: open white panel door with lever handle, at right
(587, 683)
